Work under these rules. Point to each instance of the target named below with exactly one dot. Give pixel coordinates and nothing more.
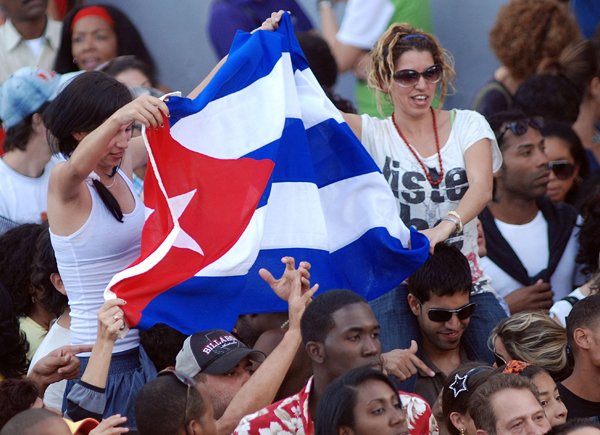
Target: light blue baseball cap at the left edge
(25, 91)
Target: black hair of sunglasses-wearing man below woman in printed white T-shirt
(445, 273)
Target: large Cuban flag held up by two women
(259, 166)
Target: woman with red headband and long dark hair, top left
(93, 35)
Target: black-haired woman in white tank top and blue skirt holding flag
(95, 218)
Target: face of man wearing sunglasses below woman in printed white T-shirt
(443, 335)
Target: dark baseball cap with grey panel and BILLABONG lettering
(214, 352)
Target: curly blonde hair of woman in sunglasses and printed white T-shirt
(392, 45)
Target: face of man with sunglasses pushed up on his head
(525, 165)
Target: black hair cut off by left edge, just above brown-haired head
(13, 342)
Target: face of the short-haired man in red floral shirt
(354, 340)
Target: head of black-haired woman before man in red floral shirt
(361, 402)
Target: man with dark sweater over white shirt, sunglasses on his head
(531, 241)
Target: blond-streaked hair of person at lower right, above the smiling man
(535, 338)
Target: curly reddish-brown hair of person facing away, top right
(527, 31)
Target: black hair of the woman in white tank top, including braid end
(89, 100)
